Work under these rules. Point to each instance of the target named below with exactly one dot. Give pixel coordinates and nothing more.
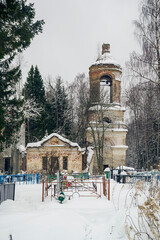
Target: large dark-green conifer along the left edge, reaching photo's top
(17, 29)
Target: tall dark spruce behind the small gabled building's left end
(34, 89)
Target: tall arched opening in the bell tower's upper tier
(105, 89)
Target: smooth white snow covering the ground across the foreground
(28, 218)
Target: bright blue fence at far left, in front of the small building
(20, 178)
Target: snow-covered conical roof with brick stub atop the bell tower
(106, 58)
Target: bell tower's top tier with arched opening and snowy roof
(106, 71)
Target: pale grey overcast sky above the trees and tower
(73, 31)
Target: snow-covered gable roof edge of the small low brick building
(63, 139)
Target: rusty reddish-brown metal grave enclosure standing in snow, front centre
(76, 187)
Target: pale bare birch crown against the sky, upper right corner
(146, 65)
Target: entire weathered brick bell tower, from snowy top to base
(106, 115)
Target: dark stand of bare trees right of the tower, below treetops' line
(144, 129)
